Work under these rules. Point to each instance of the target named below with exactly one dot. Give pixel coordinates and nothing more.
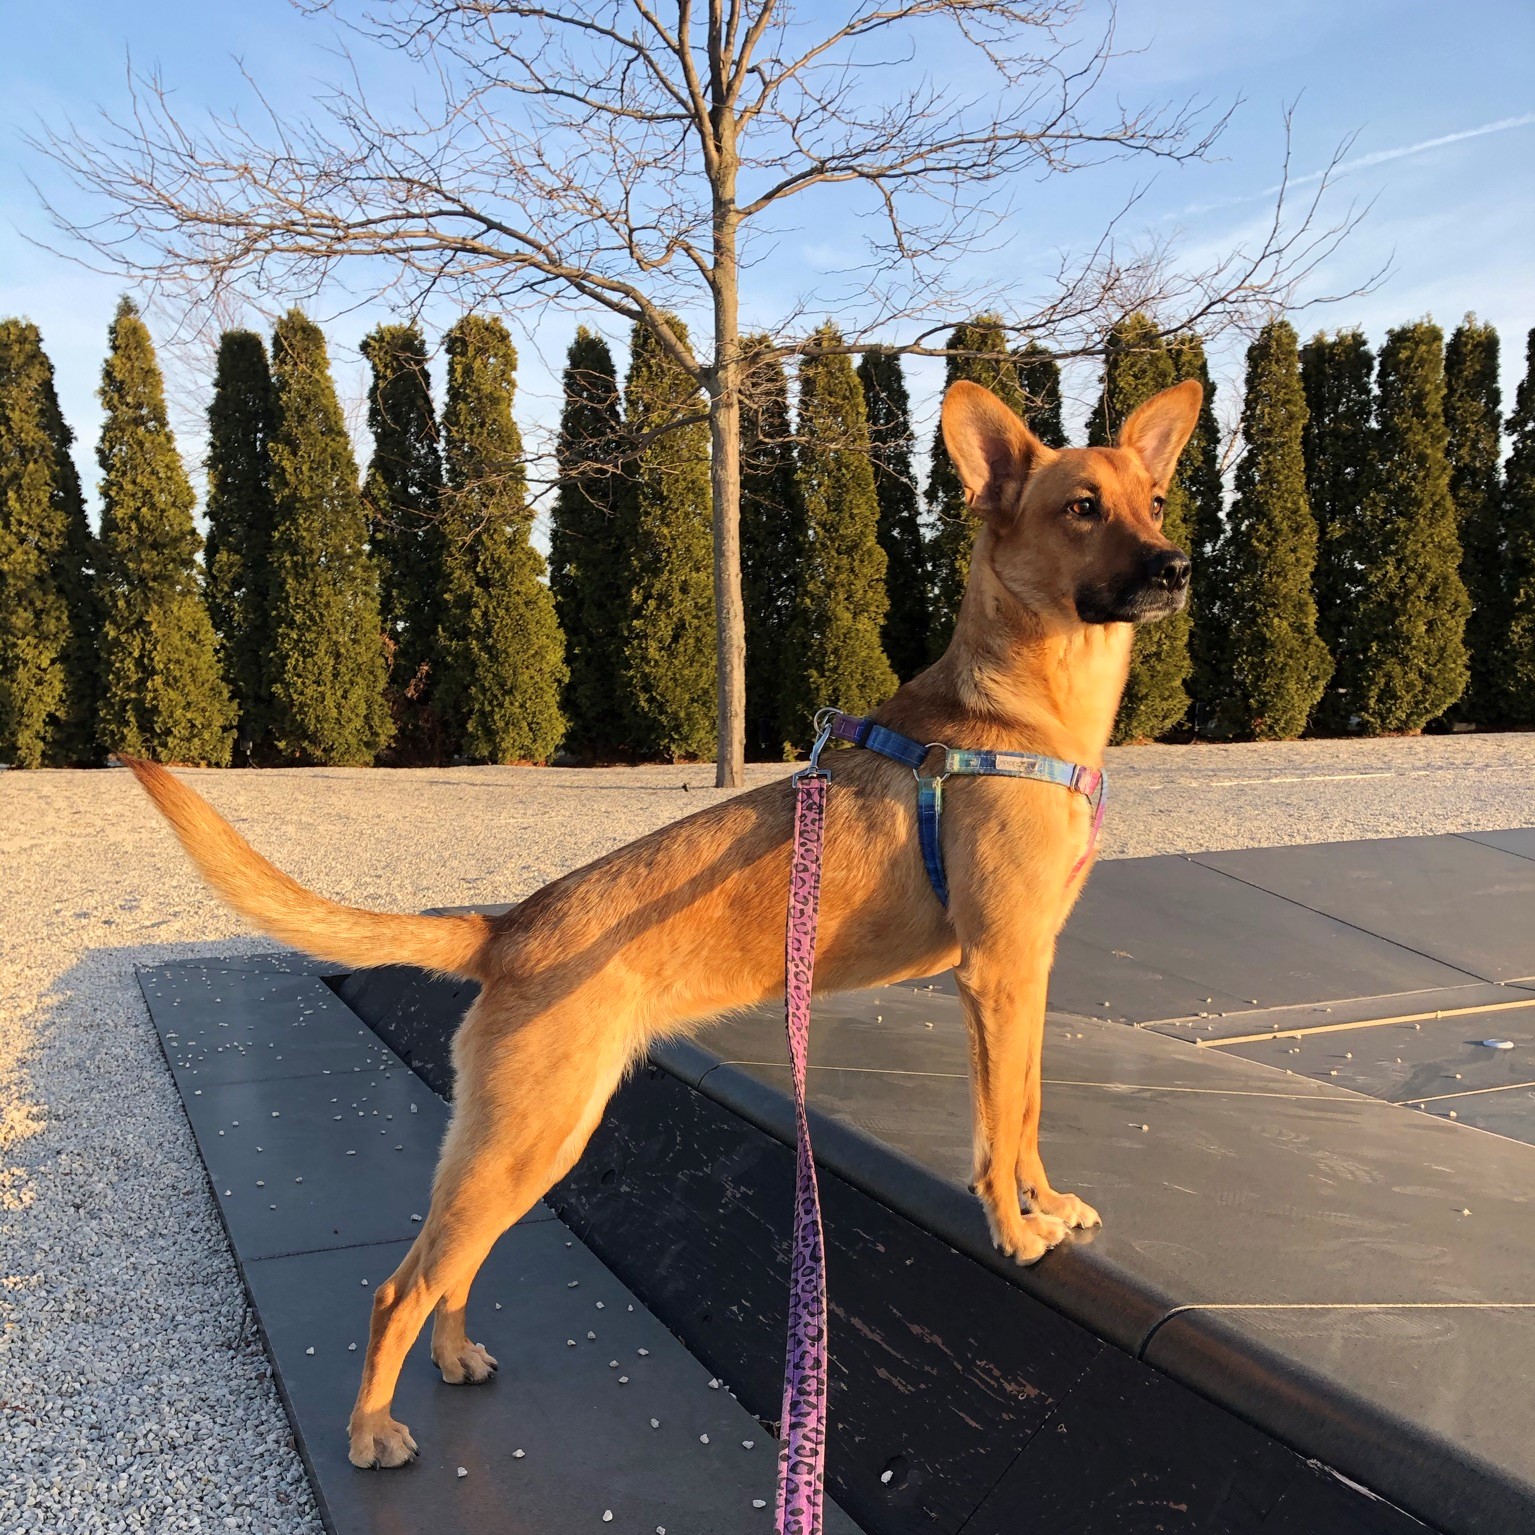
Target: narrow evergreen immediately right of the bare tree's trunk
(773, 540)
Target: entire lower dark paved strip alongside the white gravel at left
(320, 1149)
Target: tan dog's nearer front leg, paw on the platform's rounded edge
(1005, 1006)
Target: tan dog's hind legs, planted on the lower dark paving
(530, 1098)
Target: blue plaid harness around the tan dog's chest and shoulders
(957, 761)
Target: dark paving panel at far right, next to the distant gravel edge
(1454, 900)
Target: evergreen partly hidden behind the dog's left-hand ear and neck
(952, 526)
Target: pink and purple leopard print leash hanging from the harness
(802, 1433)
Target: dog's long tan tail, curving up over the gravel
(285, 909)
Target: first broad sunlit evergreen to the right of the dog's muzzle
(1275, 664)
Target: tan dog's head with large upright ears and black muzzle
(1075, 535)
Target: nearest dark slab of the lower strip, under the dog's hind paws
(583, 1427)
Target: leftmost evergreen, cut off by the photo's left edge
(48, 678)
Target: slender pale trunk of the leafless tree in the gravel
(725, 483)
